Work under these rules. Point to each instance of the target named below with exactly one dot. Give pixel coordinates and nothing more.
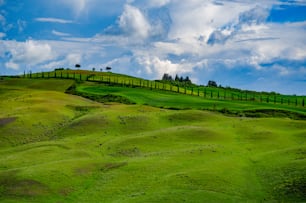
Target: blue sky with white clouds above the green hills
(258, 45)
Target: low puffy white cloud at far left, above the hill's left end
(29, 53)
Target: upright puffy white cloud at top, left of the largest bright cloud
(134, 23)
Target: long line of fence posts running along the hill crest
(201, 91)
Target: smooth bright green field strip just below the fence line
(166, 99)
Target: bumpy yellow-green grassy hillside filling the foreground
(63, 148)
